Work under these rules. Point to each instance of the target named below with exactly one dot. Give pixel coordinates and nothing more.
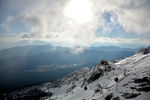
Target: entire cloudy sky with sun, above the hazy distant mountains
(72, 23)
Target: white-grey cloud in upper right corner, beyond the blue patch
(132, 15)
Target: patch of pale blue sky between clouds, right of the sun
(115, 30)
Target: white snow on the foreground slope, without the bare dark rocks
(135, 66)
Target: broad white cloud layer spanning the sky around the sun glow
(47, 20)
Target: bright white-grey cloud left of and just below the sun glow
(47, 22)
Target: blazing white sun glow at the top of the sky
(79, 10)
